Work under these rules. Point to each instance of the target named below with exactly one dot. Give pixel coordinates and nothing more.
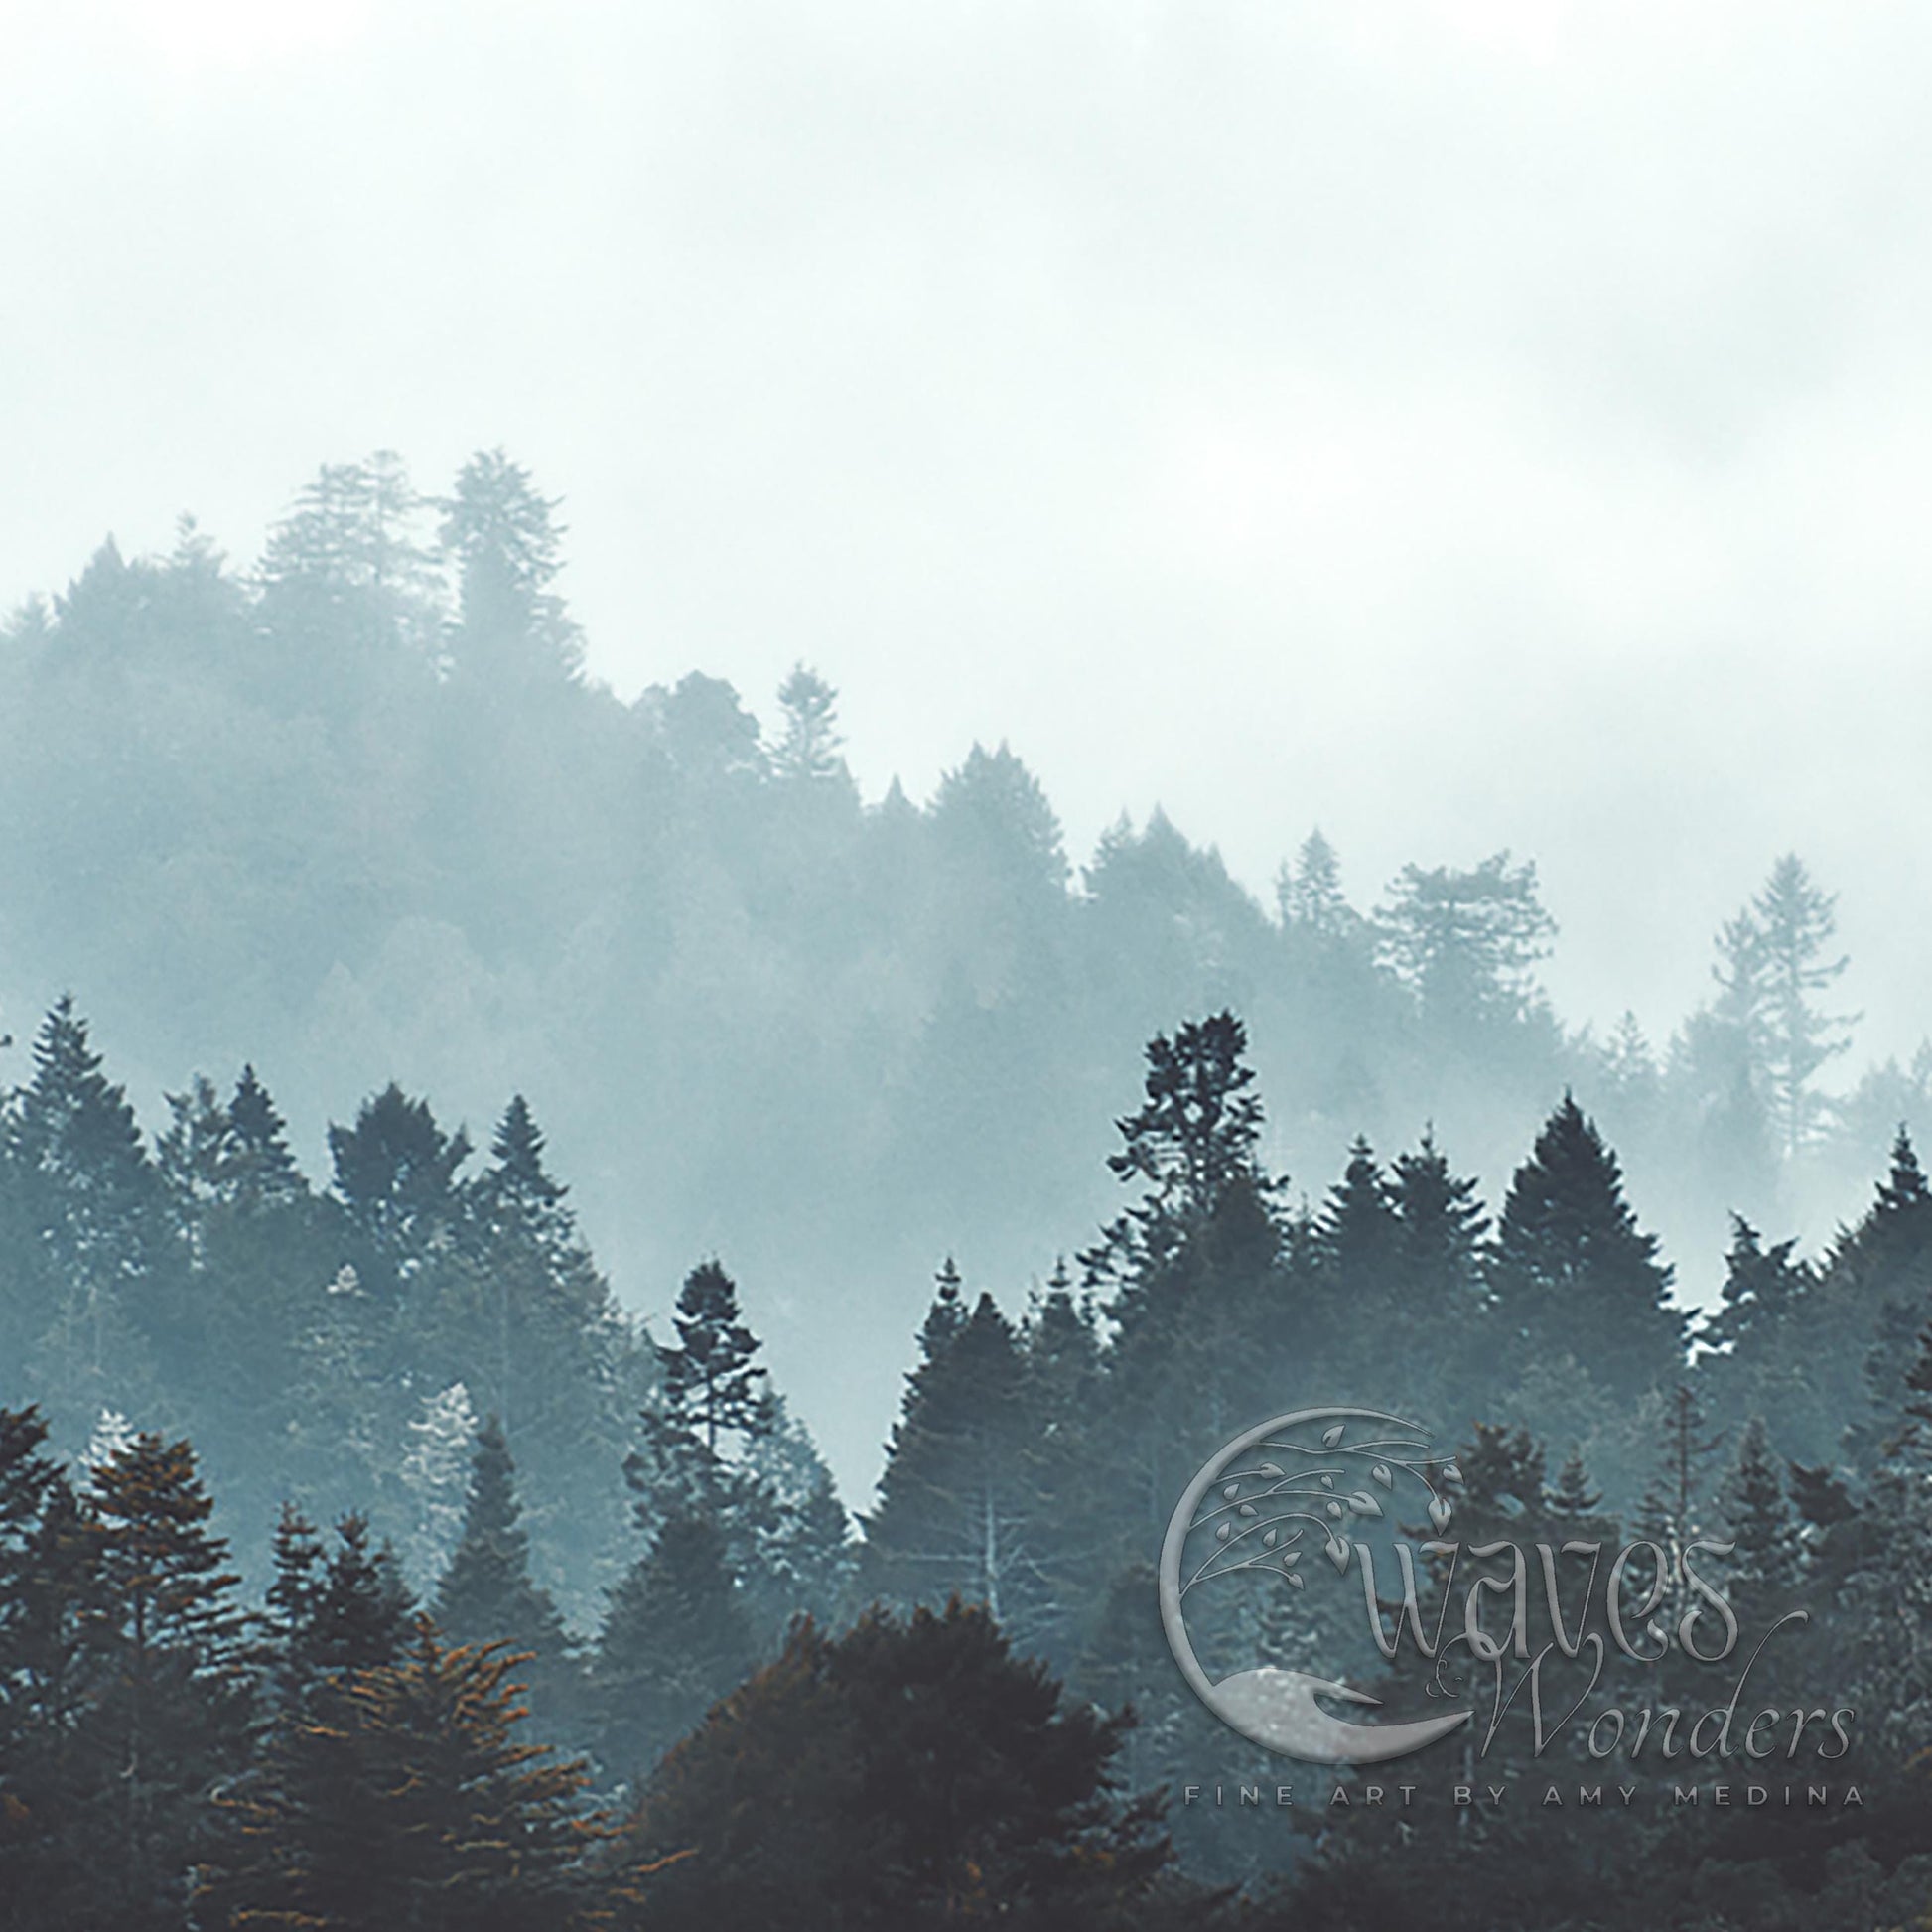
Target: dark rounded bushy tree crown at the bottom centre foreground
(907, 1775)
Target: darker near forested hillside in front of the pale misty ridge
(389, 1450)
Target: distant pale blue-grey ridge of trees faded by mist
(355, 816)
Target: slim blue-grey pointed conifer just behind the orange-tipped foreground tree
(488, 1597)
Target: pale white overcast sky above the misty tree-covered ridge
(1465, 424)
